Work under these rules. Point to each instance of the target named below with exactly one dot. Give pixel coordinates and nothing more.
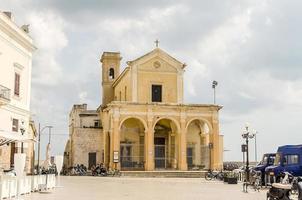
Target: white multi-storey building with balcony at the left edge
(16, 49)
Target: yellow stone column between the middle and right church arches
(182, 142)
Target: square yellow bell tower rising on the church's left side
(110, 71)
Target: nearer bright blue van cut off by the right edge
(288, 159)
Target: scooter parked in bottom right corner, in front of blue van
(282, 191)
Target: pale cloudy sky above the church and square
(253, 48)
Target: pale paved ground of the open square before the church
(113, 188)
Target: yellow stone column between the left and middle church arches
(149, 137)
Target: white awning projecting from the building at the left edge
(7, 137)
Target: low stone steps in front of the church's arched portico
(164, 174)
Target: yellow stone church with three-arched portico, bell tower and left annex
(144, 123)
